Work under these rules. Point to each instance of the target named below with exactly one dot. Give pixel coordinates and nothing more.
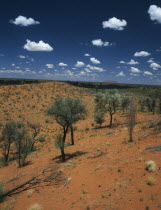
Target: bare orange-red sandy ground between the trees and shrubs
(109, 174)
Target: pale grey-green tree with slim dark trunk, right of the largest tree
(107, 102)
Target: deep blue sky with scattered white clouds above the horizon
(87, 40)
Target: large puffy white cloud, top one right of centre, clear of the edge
(114, 23)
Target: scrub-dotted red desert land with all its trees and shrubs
(56, 133)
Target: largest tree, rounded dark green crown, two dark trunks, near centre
(67, 112)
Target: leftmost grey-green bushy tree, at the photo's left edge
(6, 140)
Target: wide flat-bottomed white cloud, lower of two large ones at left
(40, 46)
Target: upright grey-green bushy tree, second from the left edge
(23, 143)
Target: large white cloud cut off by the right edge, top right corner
(155, 13)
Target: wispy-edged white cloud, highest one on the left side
(23, 21)
